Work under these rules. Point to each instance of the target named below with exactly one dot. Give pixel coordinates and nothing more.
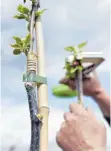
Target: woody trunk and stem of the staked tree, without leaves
(31, 91)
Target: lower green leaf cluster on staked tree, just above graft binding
(21, 45)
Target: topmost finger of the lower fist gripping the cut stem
(77, 109)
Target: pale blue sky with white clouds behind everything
(64, 23)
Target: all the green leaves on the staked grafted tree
(23, 45)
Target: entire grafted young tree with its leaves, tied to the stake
(26, 45)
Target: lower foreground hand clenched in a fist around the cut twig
(81, 131)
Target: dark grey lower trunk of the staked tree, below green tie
(35, 122)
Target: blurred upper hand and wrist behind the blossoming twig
(93, 88)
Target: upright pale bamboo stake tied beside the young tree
(42, 89)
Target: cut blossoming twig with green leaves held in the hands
(74, 67)
